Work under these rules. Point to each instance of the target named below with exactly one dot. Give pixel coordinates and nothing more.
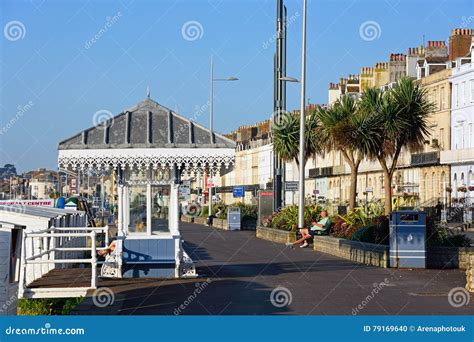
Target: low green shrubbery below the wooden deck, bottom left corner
(47, 306)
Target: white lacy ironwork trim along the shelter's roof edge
(193, 160)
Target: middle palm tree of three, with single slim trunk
(345, 129)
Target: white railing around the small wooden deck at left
(56, 247)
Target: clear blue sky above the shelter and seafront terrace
(62, 82)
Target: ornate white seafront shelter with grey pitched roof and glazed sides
(148, 148)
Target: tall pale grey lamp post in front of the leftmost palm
(302, 123)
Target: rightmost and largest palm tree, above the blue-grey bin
(402, 114)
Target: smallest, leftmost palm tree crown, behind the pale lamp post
(286, 137)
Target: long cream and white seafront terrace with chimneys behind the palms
(424, 177)
